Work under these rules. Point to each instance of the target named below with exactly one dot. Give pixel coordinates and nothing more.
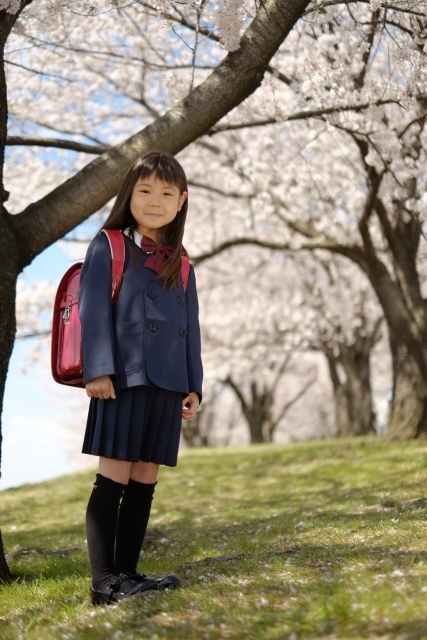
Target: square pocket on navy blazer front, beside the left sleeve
(129, 347)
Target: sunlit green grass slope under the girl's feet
(311, 540)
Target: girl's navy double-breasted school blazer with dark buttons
(151, 337)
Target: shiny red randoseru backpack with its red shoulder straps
(66, 350)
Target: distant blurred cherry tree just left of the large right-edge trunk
(345, 326)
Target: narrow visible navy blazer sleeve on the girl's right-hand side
(194, 358)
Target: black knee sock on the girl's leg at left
(101, 524)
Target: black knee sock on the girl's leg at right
(132, 524)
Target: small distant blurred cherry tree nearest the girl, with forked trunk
(253, 329)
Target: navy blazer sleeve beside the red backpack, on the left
(95, 311)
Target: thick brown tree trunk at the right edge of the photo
(401, 297)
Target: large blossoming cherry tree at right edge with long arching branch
(338, 162)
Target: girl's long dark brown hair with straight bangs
(167, 169)
